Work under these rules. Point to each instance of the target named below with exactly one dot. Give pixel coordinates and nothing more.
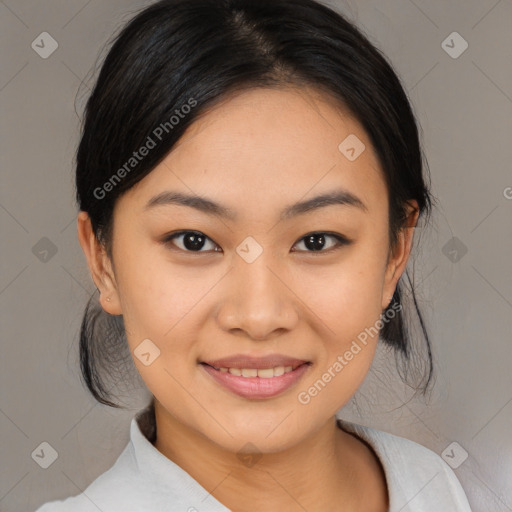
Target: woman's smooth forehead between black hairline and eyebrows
(264, 147)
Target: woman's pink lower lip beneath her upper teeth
(257, 387)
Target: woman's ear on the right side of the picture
(398, 258)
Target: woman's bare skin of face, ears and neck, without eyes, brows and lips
(257, 153)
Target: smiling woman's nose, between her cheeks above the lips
(257, 300)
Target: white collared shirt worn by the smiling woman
(144, 480)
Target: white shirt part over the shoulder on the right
(418, 478)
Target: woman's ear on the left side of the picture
(99, 264)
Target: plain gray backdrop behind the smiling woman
(464, 107)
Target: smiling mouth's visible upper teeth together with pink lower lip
(257, 383)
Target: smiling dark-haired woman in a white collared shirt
(249, 178)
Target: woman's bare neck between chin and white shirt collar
(327, 467)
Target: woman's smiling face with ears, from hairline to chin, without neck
(254, 276)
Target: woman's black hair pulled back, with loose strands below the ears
(183, 52)
